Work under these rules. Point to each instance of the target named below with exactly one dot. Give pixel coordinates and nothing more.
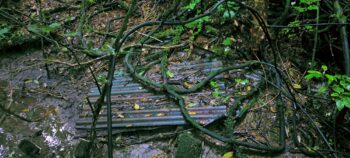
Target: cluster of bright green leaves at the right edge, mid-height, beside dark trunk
(338, 85)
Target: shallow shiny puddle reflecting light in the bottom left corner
(46, 131)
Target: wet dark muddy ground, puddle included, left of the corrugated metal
(52, 104)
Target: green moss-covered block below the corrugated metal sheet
(188, 146)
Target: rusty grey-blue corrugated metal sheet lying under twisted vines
(155, 109)
